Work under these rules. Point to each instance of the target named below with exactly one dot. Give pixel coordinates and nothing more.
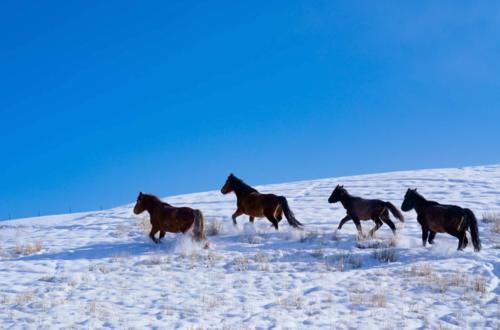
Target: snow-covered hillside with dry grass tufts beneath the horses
(99, 269)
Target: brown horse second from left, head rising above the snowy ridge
(257, 205)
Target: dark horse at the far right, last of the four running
(440, 218)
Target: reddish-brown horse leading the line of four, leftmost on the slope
(167, 218)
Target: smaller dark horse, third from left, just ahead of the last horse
(365, 209)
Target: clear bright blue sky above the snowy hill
(102, 99)
